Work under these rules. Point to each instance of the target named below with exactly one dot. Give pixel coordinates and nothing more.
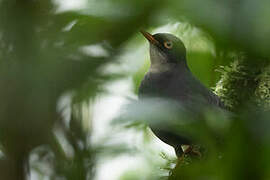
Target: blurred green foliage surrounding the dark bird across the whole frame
(42, 64)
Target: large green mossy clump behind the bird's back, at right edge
(243, 81)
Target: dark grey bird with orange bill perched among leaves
(170, 77)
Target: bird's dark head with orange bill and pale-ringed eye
(165, 48)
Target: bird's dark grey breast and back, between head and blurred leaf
(179, 84)
